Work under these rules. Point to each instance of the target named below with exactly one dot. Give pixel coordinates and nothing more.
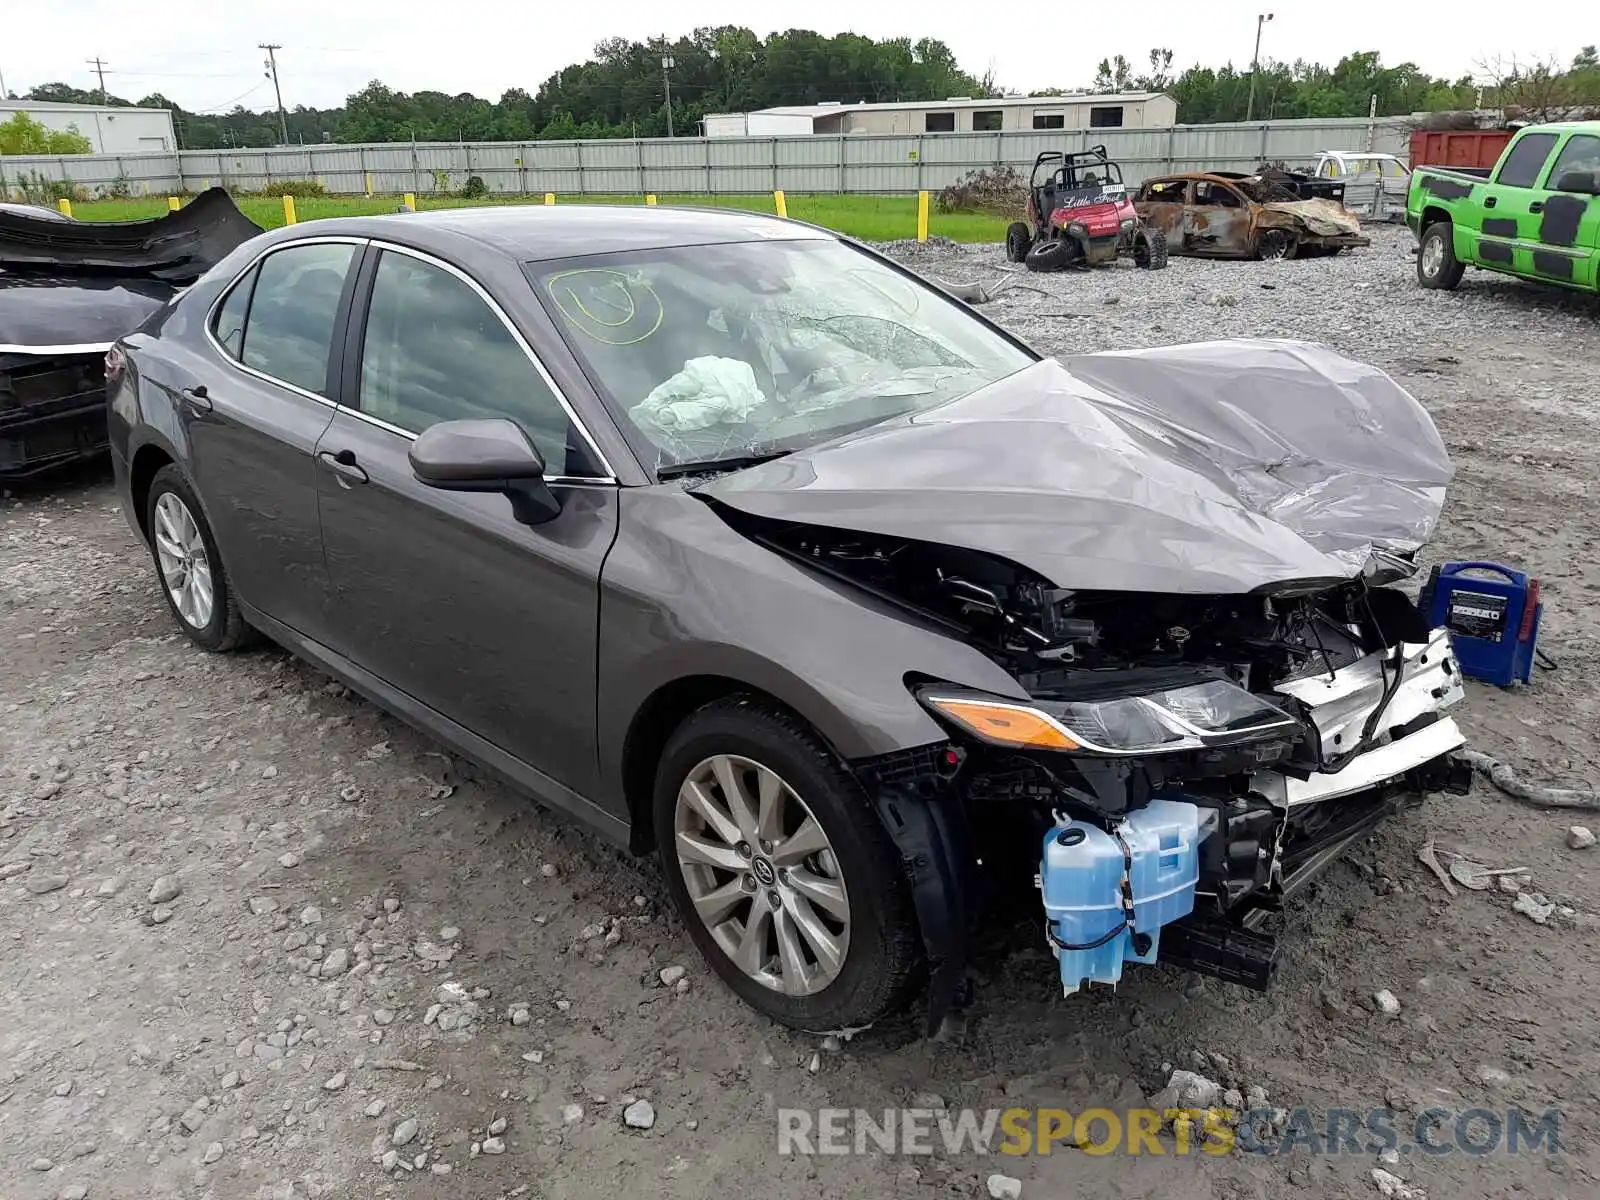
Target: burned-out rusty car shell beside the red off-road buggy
(1250, 230)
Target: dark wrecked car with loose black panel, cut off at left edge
(68, 290)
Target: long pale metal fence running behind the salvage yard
(719, 166)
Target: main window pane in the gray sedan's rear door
(294, 311)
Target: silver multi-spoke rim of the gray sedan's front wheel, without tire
(762, 874)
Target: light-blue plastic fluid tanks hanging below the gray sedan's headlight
(1081, 879)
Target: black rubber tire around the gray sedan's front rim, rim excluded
(884, 953)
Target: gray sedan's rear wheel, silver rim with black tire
(193, 575)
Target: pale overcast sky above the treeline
(207, 60)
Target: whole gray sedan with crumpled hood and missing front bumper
(746, 546)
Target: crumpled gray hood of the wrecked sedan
(1214, 468)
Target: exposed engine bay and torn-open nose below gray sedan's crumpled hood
(1188, 761)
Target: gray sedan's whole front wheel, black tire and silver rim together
(786, 879)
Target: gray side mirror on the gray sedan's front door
(490, 455)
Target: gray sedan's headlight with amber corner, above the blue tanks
(1188, 718)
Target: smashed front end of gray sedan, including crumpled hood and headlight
(1188, 575)
